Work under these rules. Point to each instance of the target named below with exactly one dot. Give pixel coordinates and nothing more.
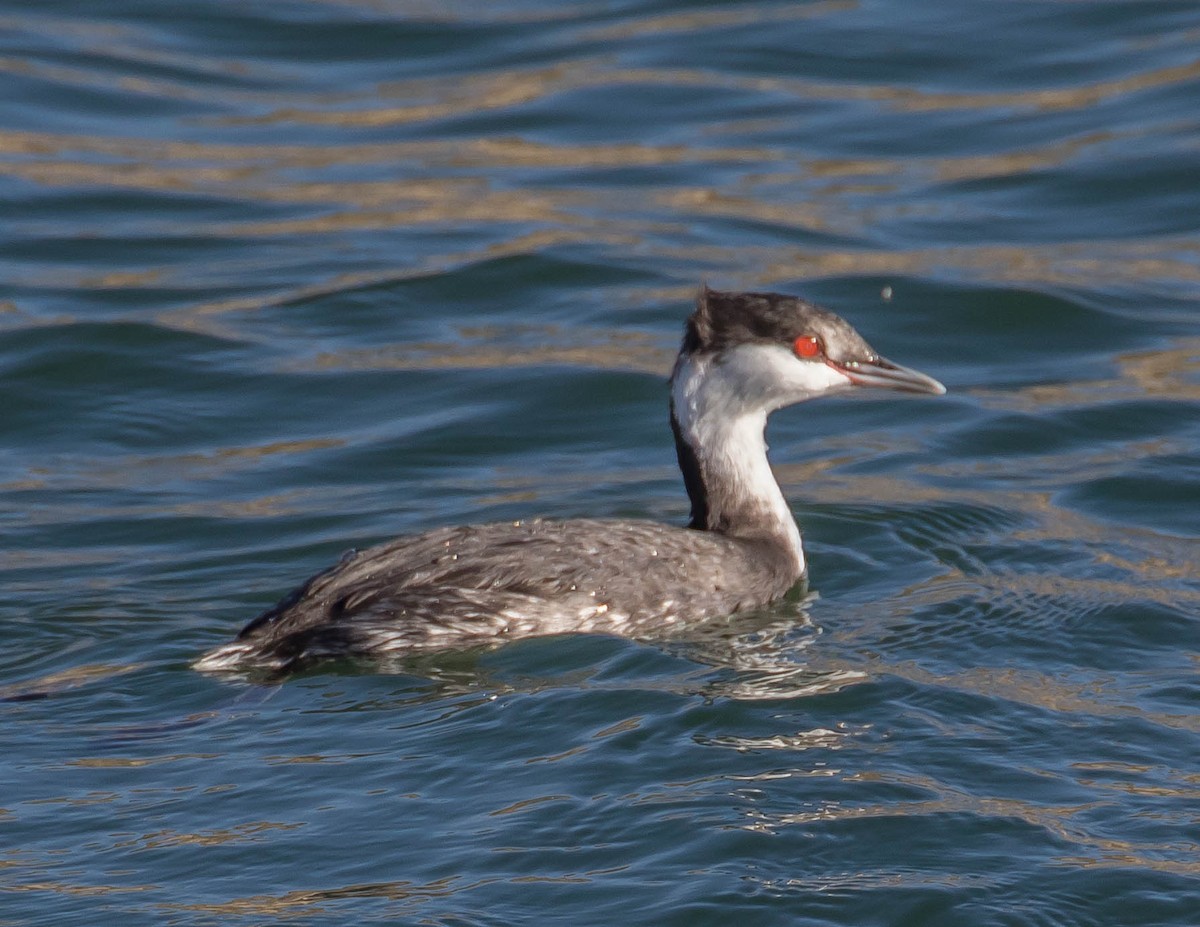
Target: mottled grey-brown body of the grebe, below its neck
(485, 583)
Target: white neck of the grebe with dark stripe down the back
(723, 453)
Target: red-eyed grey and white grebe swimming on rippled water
(743, 357)
